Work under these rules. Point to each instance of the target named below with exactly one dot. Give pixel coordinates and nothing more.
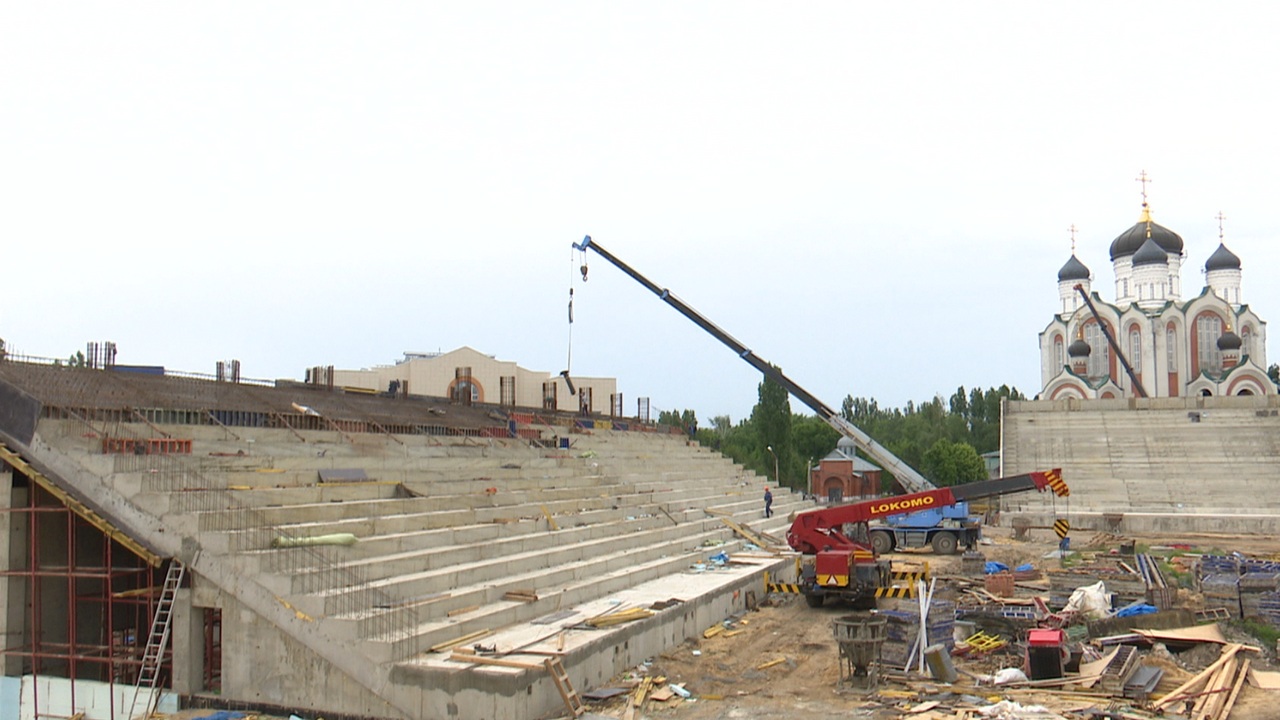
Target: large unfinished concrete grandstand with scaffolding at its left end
(342, 549)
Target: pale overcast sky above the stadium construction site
(874, 197)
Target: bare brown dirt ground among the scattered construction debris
(783, 659)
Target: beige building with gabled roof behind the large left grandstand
(486, 380)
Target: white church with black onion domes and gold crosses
(1212, 344)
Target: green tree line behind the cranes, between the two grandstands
(943, 439)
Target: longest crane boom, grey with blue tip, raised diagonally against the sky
(906, 475)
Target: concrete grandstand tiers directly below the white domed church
(1151, 466)
